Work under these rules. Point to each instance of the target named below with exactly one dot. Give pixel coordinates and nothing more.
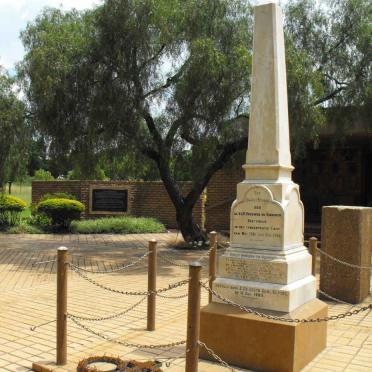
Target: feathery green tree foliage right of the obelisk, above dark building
(331, 46)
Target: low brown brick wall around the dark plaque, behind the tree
(147, 199)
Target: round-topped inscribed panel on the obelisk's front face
(257, 220)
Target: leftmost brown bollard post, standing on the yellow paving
(62, 256)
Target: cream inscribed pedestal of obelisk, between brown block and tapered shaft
(267, 265)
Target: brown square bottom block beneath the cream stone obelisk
(247, 341)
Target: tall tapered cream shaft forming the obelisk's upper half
(268, 155)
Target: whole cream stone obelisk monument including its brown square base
(266, 266)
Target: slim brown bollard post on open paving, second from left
(151, 287)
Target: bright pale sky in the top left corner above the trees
(15, 14)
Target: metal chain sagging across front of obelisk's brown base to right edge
(283, 319)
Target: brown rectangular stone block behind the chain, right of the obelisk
(346, 235)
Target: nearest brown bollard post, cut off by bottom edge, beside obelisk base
(193, 318)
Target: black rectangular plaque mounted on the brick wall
(109, 200)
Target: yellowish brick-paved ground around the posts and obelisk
(28, 298)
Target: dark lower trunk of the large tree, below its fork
(192, 233)
